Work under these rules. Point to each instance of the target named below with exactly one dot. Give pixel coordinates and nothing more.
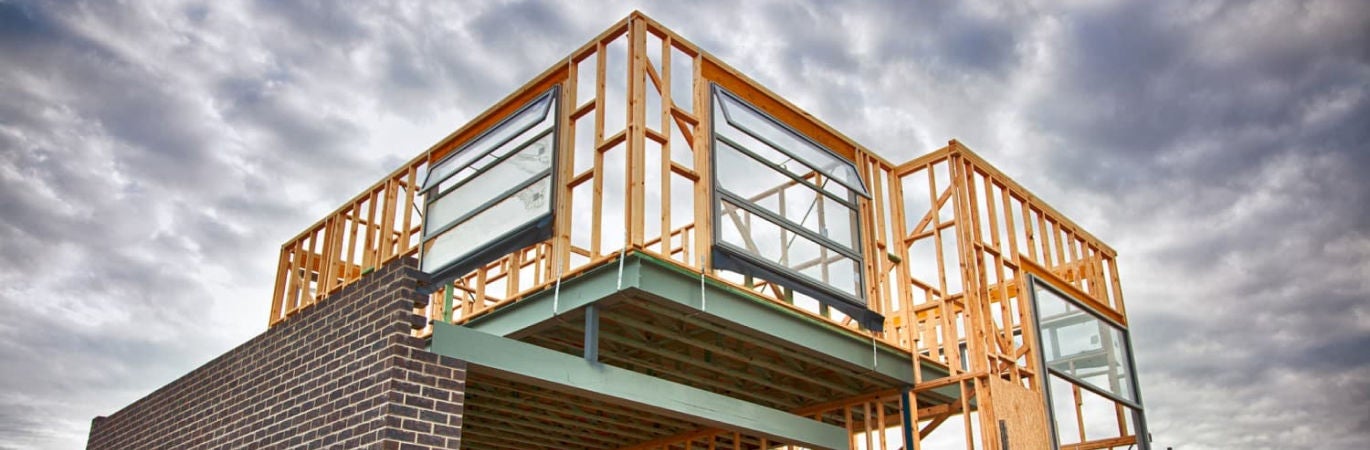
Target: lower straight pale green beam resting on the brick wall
(549, 368)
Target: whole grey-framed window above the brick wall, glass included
(494, 196)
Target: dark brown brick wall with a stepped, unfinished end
(343, 374)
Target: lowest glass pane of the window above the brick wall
(513, 213)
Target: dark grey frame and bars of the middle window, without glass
(730, 257)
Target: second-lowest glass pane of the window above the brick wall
(532, 161)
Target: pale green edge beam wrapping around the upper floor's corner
(646, 276)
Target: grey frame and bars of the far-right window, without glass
(1139, 412)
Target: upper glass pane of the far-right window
(1079, 345)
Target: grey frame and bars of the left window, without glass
(530, 233)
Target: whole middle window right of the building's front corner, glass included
(786, 209)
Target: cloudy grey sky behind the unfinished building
(155, 156)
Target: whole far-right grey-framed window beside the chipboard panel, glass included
(1093, 382)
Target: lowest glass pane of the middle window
(771, 242)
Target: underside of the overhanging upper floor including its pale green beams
(642, 351)
